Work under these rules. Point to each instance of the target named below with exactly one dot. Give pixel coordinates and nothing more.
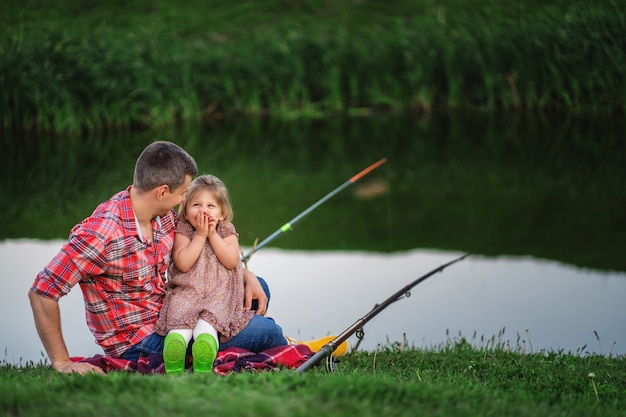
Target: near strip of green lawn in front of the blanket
(451, 380)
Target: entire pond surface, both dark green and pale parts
(539, 201)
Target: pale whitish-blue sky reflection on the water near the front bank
(540, 304)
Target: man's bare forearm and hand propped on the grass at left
(48, 323)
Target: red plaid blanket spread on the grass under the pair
(229, 360)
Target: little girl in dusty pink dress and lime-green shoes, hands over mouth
(206, 287)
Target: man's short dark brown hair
(161, 163)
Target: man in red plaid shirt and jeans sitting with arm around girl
(119, 256)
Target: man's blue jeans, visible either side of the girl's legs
(261, 334)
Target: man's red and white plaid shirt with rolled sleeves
(121, 276)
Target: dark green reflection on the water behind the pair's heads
(487, 183)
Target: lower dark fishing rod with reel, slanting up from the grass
(329, 348)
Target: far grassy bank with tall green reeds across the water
(75, 66)
